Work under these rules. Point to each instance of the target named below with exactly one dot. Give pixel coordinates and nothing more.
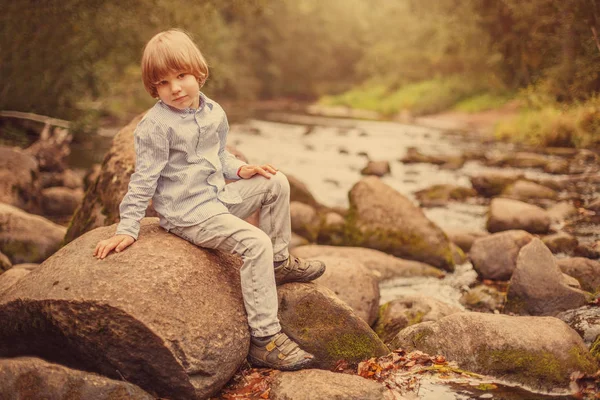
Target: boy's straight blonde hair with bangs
(169, 51)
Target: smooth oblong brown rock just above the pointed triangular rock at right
(507, 214)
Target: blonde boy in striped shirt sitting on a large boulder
(182, 164)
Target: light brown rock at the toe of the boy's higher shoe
(354, 284)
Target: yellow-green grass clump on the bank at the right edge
(576, 125)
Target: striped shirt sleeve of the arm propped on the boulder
(151, 156)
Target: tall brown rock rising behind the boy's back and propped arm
(100, 205)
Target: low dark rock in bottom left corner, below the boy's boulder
(33, 378)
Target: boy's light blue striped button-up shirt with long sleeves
(181, 164)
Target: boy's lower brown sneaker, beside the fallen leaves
(278, 352)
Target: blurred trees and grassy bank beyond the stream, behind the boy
(79, 59)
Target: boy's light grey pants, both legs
(257, 247)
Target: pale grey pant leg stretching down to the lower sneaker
(229, 233)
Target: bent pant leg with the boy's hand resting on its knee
(272, 197)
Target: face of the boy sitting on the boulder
(179, 90)
